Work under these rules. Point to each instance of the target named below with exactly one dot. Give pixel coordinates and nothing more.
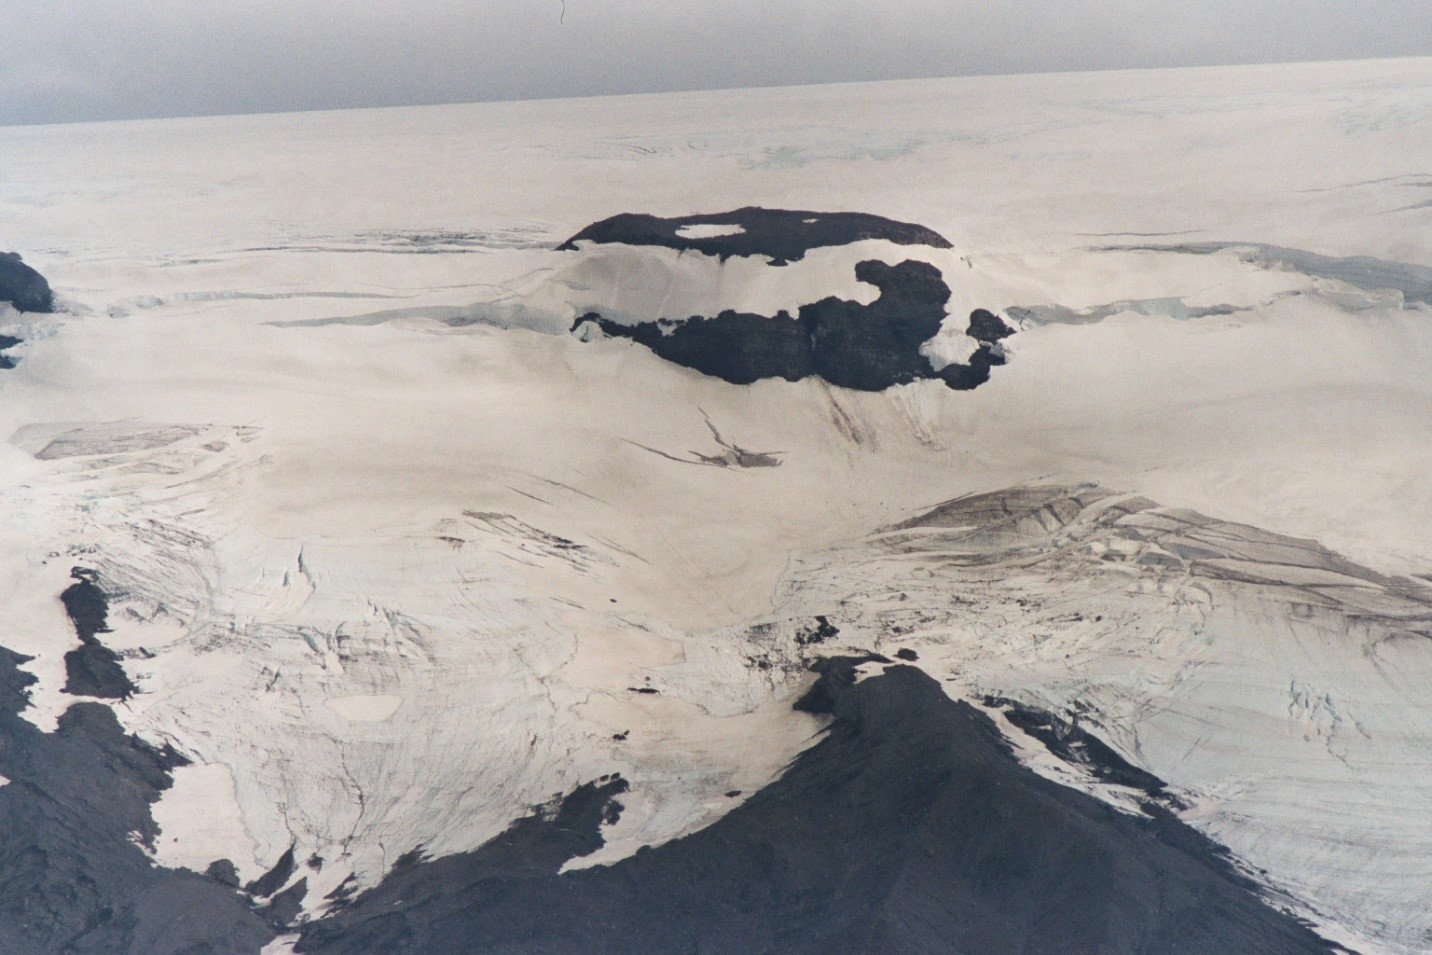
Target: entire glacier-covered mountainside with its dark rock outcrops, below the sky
(974, 516)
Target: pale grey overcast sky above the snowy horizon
(65, 61)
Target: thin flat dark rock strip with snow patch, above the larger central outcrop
(784, 236)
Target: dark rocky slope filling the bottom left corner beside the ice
(74, 818)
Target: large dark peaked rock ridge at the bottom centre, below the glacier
(910, 828)
